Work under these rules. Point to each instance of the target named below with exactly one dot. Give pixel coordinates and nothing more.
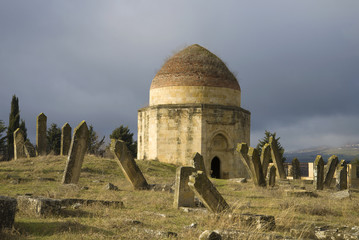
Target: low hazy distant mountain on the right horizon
(347, 152)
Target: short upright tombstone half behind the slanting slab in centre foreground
(184, 196)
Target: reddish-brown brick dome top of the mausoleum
(195, 66)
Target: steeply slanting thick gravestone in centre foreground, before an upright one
(206, 192)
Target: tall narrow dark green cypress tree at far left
(14, 123)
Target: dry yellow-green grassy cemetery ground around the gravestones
(148, 214)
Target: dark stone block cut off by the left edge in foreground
(7, 211)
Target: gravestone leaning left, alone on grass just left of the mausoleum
(128, 165)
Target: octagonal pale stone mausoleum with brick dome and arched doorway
(195, 106)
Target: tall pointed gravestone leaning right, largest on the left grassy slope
(76, 156)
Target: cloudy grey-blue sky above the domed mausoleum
(297, 62)
